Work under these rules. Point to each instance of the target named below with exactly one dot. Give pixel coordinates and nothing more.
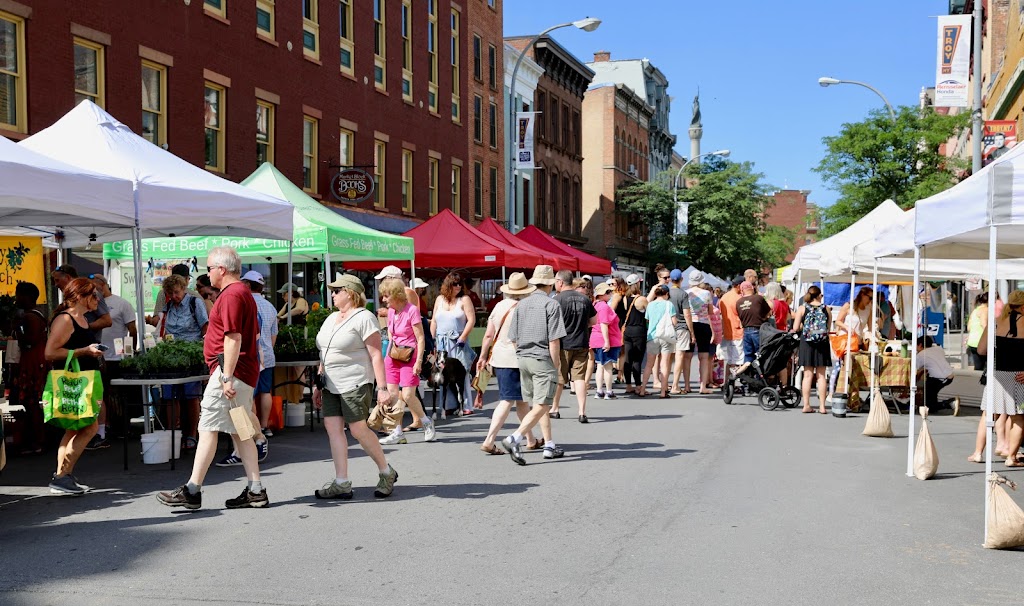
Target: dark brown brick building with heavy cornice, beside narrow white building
(558, 205)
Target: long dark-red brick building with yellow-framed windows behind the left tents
(228, 84)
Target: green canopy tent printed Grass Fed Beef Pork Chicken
(321, 235)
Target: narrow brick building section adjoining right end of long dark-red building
(487, 103)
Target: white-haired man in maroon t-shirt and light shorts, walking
(232, 352)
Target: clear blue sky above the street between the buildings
(757, 65)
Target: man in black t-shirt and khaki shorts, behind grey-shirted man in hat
(579, 317)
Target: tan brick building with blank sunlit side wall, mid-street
(616, 123)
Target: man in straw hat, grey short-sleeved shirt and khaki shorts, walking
(537, 329)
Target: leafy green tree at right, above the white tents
(876, 160)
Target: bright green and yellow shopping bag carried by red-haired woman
(72, 398)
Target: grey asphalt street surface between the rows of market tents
(680, 501)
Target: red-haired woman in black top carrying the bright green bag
(70, 333)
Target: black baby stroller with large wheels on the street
(762, 375)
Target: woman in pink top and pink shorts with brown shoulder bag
(404, 361)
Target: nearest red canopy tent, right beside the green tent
(447, 241)
